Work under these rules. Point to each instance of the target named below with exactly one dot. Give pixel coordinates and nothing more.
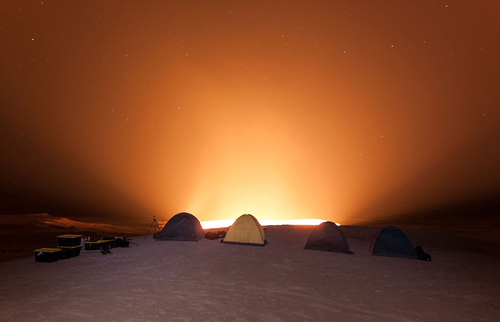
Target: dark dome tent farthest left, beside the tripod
(182, 226)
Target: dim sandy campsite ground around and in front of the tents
(210, 281)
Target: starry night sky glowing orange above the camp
(338, 110)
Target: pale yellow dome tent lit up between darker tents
(245, 230)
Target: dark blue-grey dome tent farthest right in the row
(392, 242)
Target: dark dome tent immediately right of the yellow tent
(328, 237)
